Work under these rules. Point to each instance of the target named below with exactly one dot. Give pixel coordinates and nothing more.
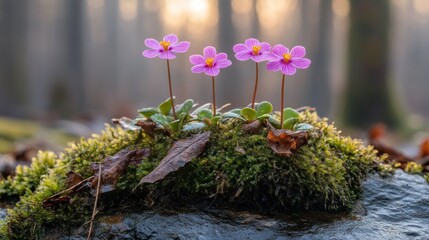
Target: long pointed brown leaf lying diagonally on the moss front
(182, 152)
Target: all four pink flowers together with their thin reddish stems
(279, 58)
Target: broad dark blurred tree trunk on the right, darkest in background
(368, 98)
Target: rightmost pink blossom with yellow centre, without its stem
(287, 62)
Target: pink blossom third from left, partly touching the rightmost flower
(252, 49)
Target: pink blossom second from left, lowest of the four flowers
(210, 63)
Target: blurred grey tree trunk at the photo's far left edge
(13, 75)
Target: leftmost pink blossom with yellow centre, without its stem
(166, 48)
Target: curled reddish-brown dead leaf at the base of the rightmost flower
(284, 141)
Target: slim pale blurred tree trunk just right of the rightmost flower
(320, 91)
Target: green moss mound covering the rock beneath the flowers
(236, 168)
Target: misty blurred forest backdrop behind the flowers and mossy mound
(81, 59)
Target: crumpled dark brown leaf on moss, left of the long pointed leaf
(113, 167)
